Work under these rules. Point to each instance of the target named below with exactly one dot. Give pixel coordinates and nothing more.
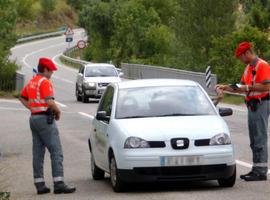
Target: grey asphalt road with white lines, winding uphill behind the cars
(74, 126)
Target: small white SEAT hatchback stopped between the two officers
(160, 130)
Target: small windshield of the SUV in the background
(100, 71)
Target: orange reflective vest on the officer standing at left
(36, 101)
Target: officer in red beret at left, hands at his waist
(38, 97)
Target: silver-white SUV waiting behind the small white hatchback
(92, 80)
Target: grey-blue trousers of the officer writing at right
(258, 124)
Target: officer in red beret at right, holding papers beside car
(255, 84)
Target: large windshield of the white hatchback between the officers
(162, 101)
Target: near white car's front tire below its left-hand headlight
(116, 182)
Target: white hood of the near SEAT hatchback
(166, 128)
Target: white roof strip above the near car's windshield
(155, 83)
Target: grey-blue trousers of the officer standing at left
(46, 136)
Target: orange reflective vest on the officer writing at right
(252, 75)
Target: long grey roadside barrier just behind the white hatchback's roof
(137, 71)
